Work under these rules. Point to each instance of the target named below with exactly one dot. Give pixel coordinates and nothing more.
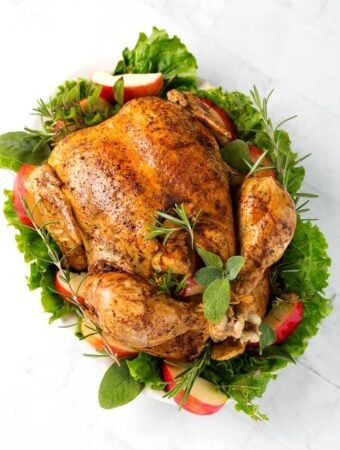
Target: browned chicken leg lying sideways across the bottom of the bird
(130, 310)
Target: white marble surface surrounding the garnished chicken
(48, 390)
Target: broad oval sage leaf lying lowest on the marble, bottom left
(118, 387)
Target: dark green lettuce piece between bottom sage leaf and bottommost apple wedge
(147, 369)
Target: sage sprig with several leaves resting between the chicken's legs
(216, 297)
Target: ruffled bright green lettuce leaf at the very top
(160, 53)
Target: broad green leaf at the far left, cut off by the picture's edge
(18, 147)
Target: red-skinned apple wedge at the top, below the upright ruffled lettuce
(135, 84)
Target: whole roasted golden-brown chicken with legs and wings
(98, 194)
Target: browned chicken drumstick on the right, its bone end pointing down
(266, 225)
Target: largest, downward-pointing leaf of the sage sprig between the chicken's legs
(216, 300)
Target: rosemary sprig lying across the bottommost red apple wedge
(186, 379)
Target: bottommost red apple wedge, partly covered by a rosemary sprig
(204, 398)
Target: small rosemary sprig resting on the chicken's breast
(179, 220)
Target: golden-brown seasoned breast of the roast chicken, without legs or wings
(150, 156)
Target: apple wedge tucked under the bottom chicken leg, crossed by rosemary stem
(97, 341)
